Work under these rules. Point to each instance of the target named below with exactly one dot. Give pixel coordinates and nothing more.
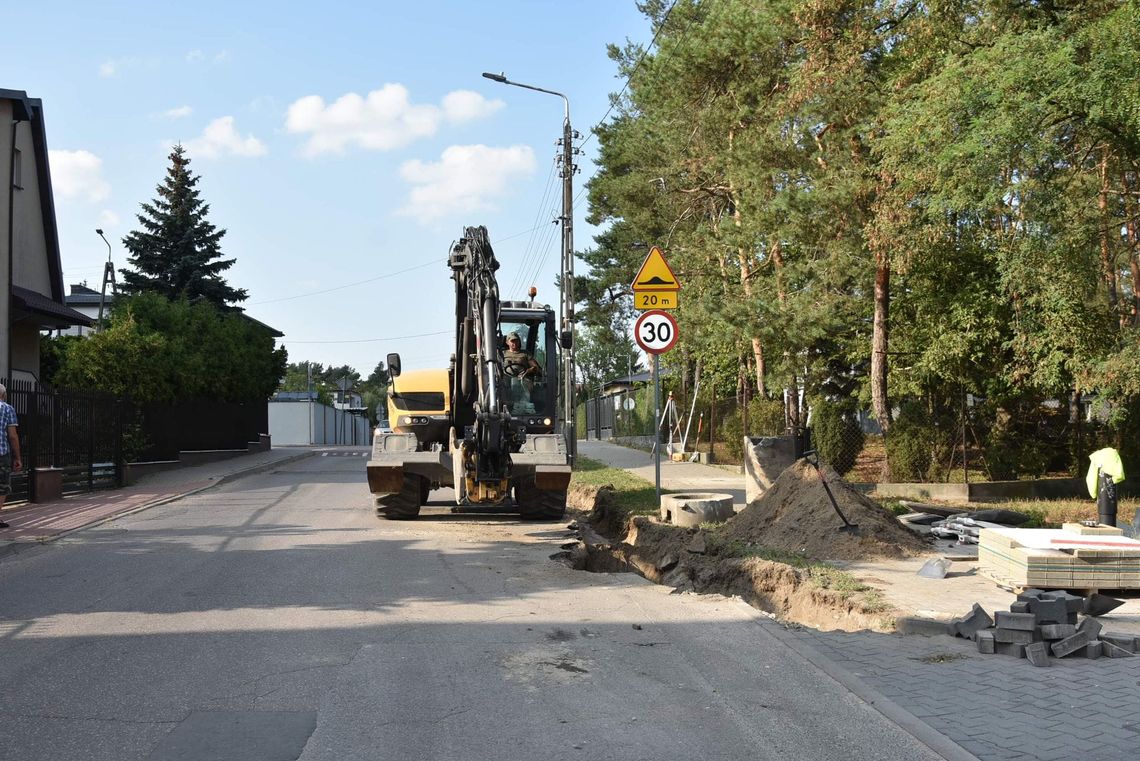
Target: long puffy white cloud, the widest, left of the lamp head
(384, 120)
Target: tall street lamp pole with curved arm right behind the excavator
(567, 313)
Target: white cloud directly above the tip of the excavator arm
(466, 179)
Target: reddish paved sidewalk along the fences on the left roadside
(36, 523)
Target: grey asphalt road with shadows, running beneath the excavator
(275, 618)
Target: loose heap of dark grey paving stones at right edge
(1044, 624)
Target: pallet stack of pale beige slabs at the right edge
(1076, 557)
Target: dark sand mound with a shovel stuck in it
(795, 515)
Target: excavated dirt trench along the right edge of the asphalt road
(683, 560)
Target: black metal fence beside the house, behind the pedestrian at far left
(78, 433)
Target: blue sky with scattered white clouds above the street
(344, 146)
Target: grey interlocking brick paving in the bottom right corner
(996, 707)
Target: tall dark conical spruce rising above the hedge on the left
(176, 252)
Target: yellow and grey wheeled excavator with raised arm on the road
(476, 428)
